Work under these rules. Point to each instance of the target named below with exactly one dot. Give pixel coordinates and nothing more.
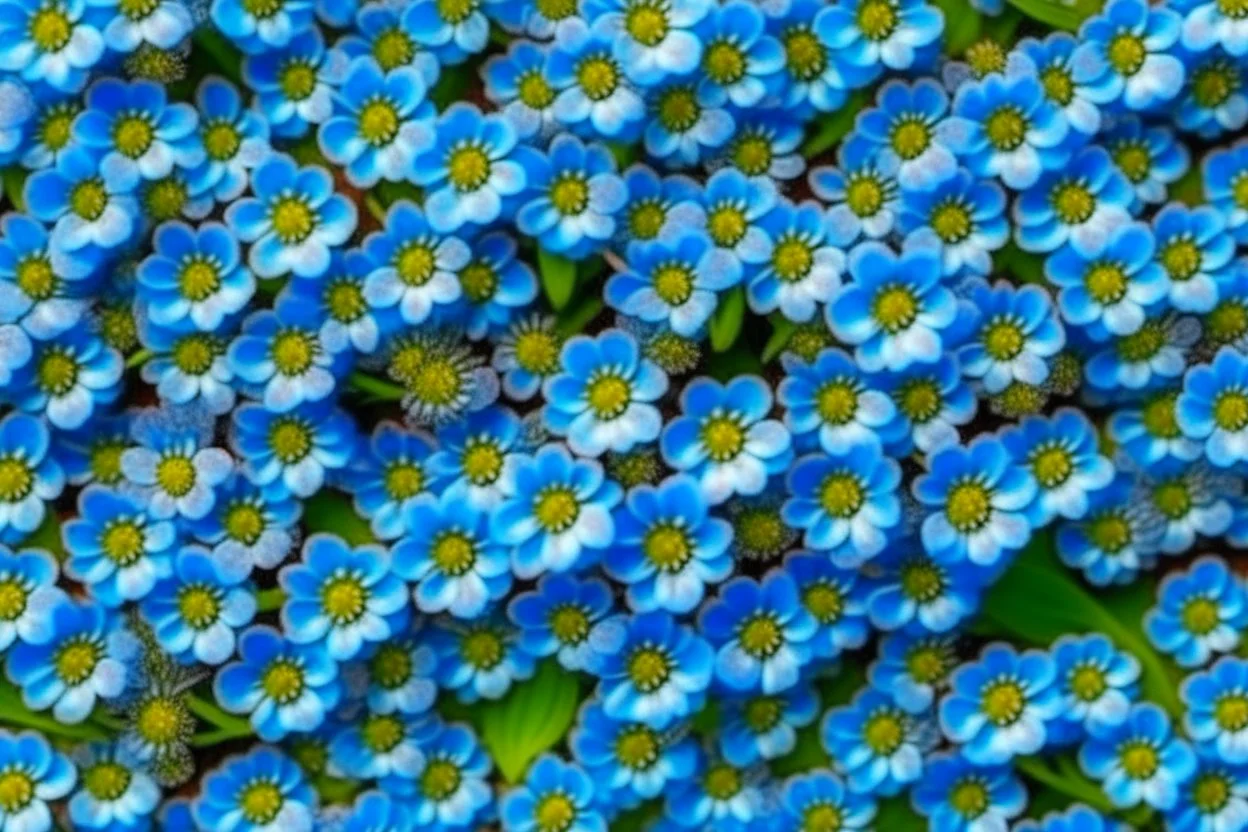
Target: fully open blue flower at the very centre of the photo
(602, 401)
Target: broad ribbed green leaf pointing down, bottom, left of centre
(534, 717)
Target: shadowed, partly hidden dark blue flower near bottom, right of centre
(764, 727)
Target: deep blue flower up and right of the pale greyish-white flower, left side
(291, 453)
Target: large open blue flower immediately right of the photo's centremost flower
(723, 440)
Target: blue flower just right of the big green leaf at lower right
(1199, 614)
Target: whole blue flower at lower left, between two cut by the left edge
(87, 655)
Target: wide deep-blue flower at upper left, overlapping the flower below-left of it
(135, 134)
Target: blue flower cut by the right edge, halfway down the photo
(1209, 409)
